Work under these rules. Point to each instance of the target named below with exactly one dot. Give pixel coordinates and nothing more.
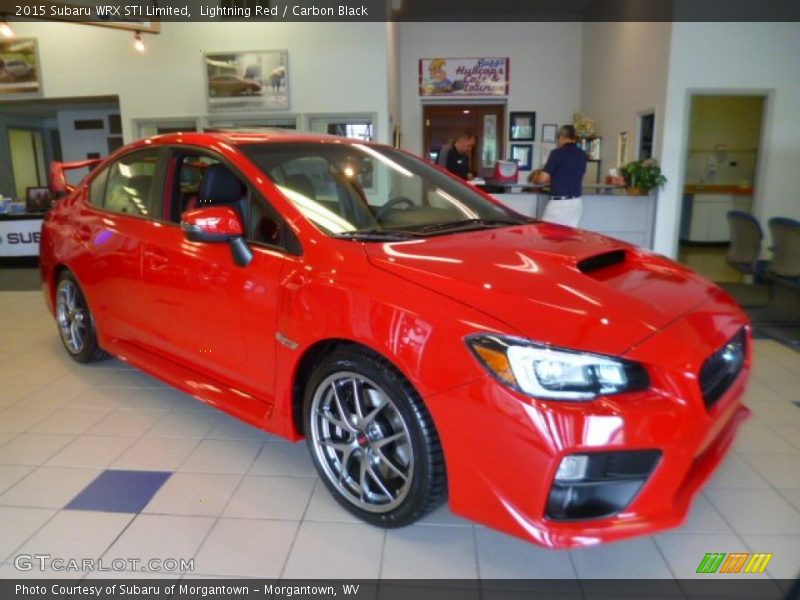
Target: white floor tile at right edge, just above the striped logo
(756, 511)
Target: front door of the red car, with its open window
(205, 312)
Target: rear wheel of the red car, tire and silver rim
(75, 322)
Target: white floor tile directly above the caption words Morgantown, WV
(335, 551)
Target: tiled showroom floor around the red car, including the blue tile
(182, 480)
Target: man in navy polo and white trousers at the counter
(564, 172)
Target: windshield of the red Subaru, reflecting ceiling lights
(357, 190)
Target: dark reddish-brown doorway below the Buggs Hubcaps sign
(441, 123)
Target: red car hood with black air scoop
(553, 284)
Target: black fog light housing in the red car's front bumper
(598, 485)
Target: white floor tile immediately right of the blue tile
(193, 494)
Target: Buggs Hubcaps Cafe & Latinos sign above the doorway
(463, 76)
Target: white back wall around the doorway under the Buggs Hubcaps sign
(545, 68)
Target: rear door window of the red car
(131, 185)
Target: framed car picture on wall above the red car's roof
(247, 80)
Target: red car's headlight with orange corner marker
(545, 372)
